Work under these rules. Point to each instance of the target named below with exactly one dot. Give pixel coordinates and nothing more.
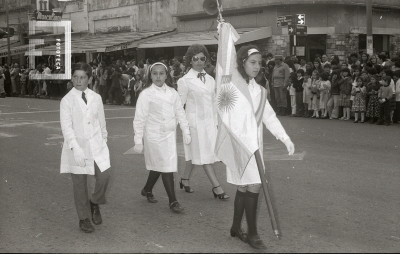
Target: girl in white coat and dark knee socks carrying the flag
(249, 64)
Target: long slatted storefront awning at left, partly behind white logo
(108, 42)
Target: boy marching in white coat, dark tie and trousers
(85, 150)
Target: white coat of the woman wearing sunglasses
(201, 113)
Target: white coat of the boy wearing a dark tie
(85, 126)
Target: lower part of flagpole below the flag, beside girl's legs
(268, 197)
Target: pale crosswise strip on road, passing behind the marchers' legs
(273, 154)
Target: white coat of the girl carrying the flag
(251, 174)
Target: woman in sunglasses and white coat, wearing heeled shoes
(197, 90)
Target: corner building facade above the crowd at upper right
(334, 26)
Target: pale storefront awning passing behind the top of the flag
(206, 38)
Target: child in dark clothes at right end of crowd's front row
(384, 95)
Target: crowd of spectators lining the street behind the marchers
(363, 87)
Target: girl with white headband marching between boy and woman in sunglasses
(158, 110)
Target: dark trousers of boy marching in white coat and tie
(81, 196)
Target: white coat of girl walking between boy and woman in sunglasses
(158, 110)
